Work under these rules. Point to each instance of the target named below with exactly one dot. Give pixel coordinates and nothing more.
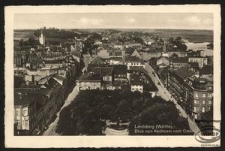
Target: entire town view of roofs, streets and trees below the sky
(112, 81)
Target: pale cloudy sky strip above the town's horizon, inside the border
(114, 20)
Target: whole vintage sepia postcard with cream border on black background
(112, 76)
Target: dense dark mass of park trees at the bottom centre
(86, 113)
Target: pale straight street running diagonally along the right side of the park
(165, 94)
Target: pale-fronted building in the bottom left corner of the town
(27, 108)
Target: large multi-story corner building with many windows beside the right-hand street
(192, 92)
